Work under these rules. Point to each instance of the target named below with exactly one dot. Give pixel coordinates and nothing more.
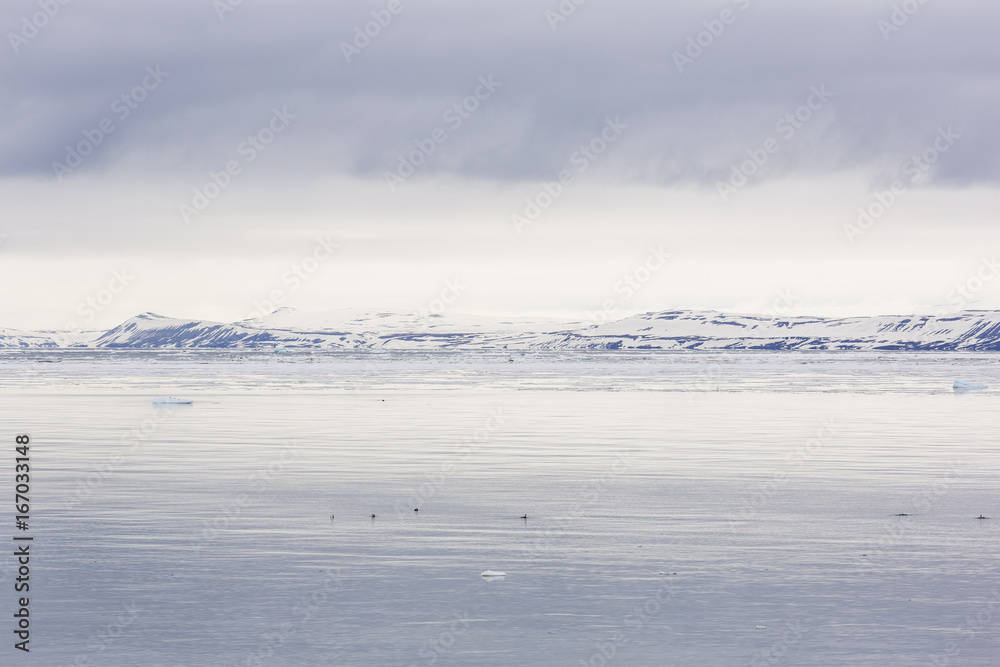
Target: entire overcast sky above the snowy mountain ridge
(576, 159)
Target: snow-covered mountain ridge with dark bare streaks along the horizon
(667, 330)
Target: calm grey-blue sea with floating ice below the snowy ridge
(631, 508)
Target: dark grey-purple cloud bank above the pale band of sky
(892, 89)
